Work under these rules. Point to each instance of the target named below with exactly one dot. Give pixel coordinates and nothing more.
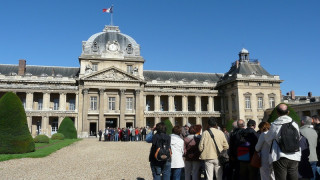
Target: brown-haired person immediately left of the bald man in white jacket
(266, 170)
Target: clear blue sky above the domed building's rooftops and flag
(174, 35)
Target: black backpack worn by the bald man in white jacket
(289, 137)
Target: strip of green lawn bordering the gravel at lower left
(42, 149)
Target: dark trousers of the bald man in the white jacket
(285, 169)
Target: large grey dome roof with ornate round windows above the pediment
(110, 43)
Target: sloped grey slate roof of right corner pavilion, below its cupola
(246, 68)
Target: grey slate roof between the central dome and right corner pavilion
(181, 76)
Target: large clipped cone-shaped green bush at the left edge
(14, 133)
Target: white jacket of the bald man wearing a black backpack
(273, 133)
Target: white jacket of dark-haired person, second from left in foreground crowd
(177, 146)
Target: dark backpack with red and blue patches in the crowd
(243, 149)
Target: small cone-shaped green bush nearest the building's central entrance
(67, 129)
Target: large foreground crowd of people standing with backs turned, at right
(281, 150)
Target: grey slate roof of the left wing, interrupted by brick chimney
(41, 70)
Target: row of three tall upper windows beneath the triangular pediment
(111, 103)
